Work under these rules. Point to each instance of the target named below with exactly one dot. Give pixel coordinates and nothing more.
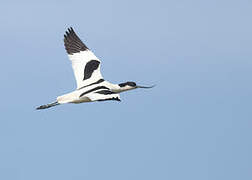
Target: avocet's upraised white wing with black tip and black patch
(85, 64)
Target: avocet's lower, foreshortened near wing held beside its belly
(103, 95)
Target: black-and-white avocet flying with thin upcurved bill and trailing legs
(90, 84)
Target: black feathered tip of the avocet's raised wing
(72, 42)
